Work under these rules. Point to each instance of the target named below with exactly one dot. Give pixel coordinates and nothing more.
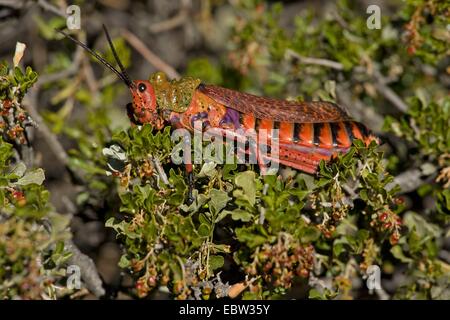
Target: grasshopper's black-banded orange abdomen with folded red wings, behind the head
(304, 138)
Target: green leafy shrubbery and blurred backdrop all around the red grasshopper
(77, 185)
